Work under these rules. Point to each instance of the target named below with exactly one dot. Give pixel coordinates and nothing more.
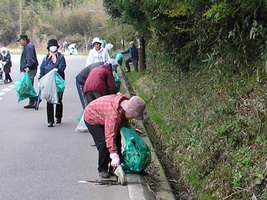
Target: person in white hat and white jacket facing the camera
(97, 54)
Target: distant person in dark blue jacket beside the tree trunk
(133, 57)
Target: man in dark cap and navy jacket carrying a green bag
(28, 63)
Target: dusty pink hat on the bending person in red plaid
(135, 107)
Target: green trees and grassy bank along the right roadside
(205, 88)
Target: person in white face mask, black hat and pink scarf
(53, 60)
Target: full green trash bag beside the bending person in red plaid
(136, 155)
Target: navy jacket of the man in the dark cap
(28, 58)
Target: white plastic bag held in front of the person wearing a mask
(49, 88)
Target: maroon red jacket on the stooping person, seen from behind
(100, 80)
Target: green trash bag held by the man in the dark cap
(24, 88)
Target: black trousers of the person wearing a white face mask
(50, 110)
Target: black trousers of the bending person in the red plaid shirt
(98, 133)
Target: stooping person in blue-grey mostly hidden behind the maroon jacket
(81, 78)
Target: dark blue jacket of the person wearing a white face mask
(47, 65)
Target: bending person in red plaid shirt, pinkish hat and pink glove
(104, 117)
